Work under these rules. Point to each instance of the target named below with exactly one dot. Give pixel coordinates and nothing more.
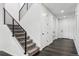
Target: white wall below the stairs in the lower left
(8, 43)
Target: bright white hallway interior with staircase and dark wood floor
(52, 29)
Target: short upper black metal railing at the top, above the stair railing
(24, 9)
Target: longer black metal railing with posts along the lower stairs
(9, 20)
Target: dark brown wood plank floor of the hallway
(60, 47)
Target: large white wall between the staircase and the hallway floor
(35, 23)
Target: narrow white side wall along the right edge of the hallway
(77, 29)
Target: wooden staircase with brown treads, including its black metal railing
(20, 34)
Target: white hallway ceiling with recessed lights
(69, 9)
